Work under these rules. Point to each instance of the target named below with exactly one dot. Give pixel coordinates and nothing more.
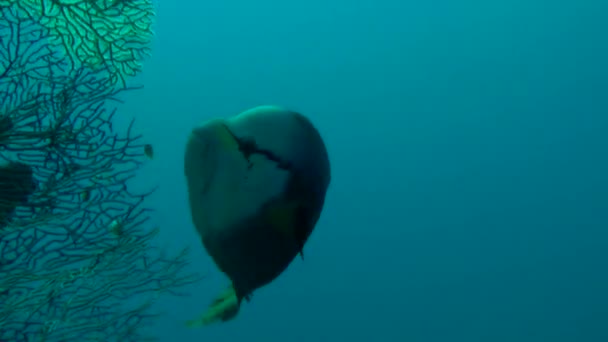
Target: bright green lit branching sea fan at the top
(110, 34)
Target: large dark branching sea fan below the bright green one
(77, 255)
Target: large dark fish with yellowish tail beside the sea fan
(256, 188)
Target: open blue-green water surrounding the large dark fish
(468, 141)
